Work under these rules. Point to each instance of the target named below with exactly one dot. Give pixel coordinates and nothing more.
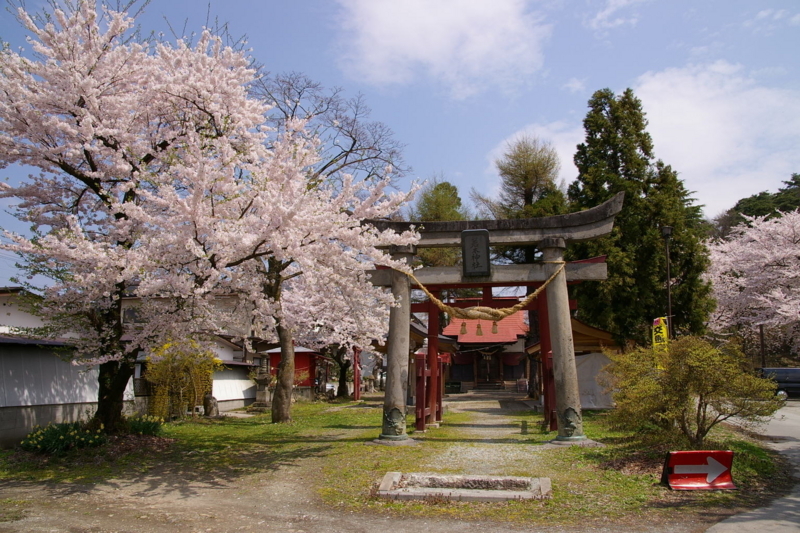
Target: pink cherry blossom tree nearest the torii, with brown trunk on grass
(294, 252)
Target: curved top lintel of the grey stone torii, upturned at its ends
(572, 227)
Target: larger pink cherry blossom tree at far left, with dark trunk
(103, 117)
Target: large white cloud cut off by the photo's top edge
(465, 46)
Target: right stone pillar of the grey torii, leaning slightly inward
(565, 375)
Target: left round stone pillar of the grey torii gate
(394, 403)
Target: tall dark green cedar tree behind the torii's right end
(616, 156)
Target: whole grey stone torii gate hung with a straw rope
(551, 235)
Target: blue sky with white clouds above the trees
(456, 80)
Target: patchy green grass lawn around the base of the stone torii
(331, 443)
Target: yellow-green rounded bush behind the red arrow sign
(687, 388)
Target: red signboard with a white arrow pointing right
(698, 470)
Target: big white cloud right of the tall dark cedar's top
(728, 136)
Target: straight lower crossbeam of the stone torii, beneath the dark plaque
(501, 274)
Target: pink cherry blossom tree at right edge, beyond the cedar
(756, 275)
